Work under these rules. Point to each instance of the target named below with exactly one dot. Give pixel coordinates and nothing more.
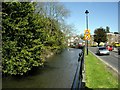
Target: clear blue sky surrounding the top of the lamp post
(101, 14)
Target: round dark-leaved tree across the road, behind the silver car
(100, 35)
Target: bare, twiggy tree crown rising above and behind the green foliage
(53, 10)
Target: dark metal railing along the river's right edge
(77, 83)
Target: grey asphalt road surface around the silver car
(111, 59)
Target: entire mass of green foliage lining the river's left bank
(26, 37)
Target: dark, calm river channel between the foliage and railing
(58, 72)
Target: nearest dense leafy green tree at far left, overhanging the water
(21, 38)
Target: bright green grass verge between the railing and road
(98, 75)
